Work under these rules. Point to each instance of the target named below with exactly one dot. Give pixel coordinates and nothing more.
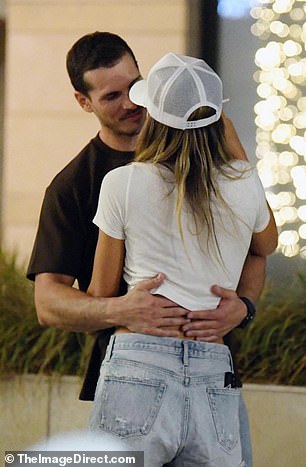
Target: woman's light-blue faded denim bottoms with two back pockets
(166, 397)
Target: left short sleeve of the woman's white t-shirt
(110, 212)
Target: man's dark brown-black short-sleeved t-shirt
(66, 238)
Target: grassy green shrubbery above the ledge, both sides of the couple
(270, 350)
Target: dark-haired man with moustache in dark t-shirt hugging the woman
(102, 68)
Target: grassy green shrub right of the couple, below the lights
(273, 348)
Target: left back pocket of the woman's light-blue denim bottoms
(130, 405)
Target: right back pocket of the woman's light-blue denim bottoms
(224, 406)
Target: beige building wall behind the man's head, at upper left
(44, 126)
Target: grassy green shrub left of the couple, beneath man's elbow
(25, 346)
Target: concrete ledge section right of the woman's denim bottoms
(278, 424)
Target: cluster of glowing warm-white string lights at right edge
(281, 116)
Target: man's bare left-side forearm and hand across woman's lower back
(60, 305)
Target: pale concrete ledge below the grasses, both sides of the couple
(34, 407)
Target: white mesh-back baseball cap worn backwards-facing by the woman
(176, 86)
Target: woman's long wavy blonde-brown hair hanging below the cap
(194, 156)
